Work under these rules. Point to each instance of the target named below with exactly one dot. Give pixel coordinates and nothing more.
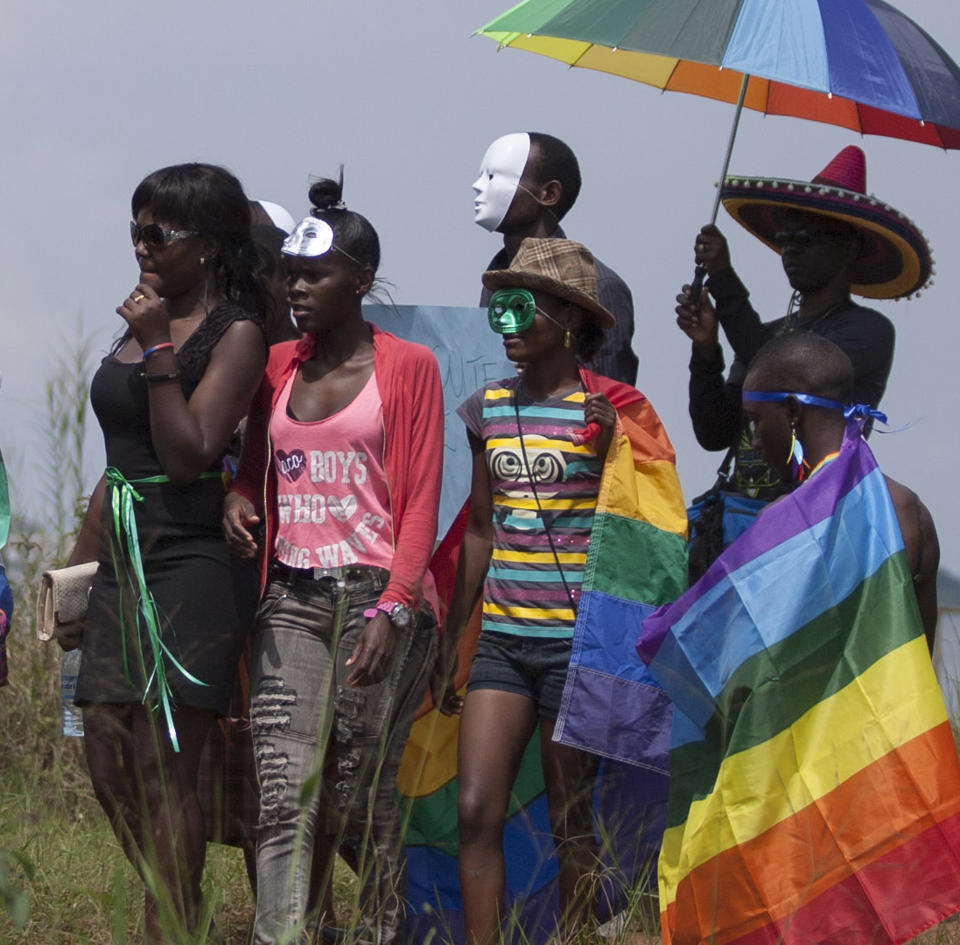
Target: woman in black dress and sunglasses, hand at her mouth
(169, 605)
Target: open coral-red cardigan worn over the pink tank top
(408, 379)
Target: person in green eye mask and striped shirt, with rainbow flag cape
(575, 506)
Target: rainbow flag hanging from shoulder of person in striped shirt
(611, 705)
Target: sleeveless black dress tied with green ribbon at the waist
(205, 596)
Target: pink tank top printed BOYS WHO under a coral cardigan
(333, 505)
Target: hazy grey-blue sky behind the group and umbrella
(97, 95)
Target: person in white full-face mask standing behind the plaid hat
(527, 183)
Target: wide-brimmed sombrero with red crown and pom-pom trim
(895, 260)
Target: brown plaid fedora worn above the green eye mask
(559, 267)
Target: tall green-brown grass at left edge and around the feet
(63, 877)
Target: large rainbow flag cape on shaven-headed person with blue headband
(815, 792)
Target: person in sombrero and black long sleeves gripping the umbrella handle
(834, 241)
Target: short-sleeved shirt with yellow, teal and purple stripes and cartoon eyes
(541, 530)
